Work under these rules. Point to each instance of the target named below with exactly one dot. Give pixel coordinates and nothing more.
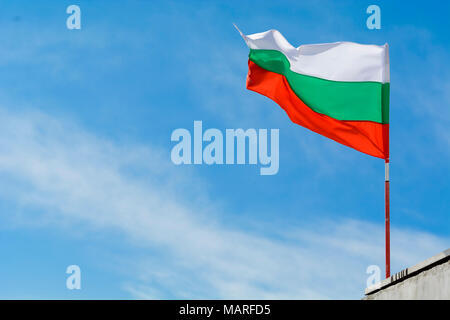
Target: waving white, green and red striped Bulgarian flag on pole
(339, 90)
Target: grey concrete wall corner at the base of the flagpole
(428, 280)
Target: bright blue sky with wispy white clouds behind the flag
(86, 178)
